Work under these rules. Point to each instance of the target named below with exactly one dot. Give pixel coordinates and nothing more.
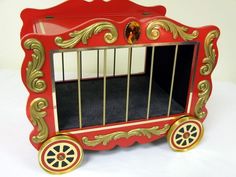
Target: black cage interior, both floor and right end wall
(92, 92)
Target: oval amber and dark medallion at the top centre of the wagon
(132, 32)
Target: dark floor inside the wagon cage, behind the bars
(116, 89)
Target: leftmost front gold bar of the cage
(79, 86)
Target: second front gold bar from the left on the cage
(104, 86)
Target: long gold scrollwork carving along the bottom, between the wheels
(105, 139)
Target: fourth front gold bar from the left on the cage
(150, 82)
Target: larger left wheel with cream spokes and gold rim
(60, 154)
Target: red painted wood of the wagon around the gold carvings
(78, 14)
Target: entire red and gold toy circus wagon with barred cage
(102, 74)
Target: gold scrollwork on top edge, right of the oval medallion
(153, 32)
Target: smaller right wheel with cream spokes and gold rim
(185, 134)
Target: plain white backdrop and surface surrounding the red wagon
(215, 155)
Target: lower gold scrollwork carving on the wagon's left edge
(38, 113)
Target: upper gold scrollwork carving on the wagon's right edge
(209, 61)
